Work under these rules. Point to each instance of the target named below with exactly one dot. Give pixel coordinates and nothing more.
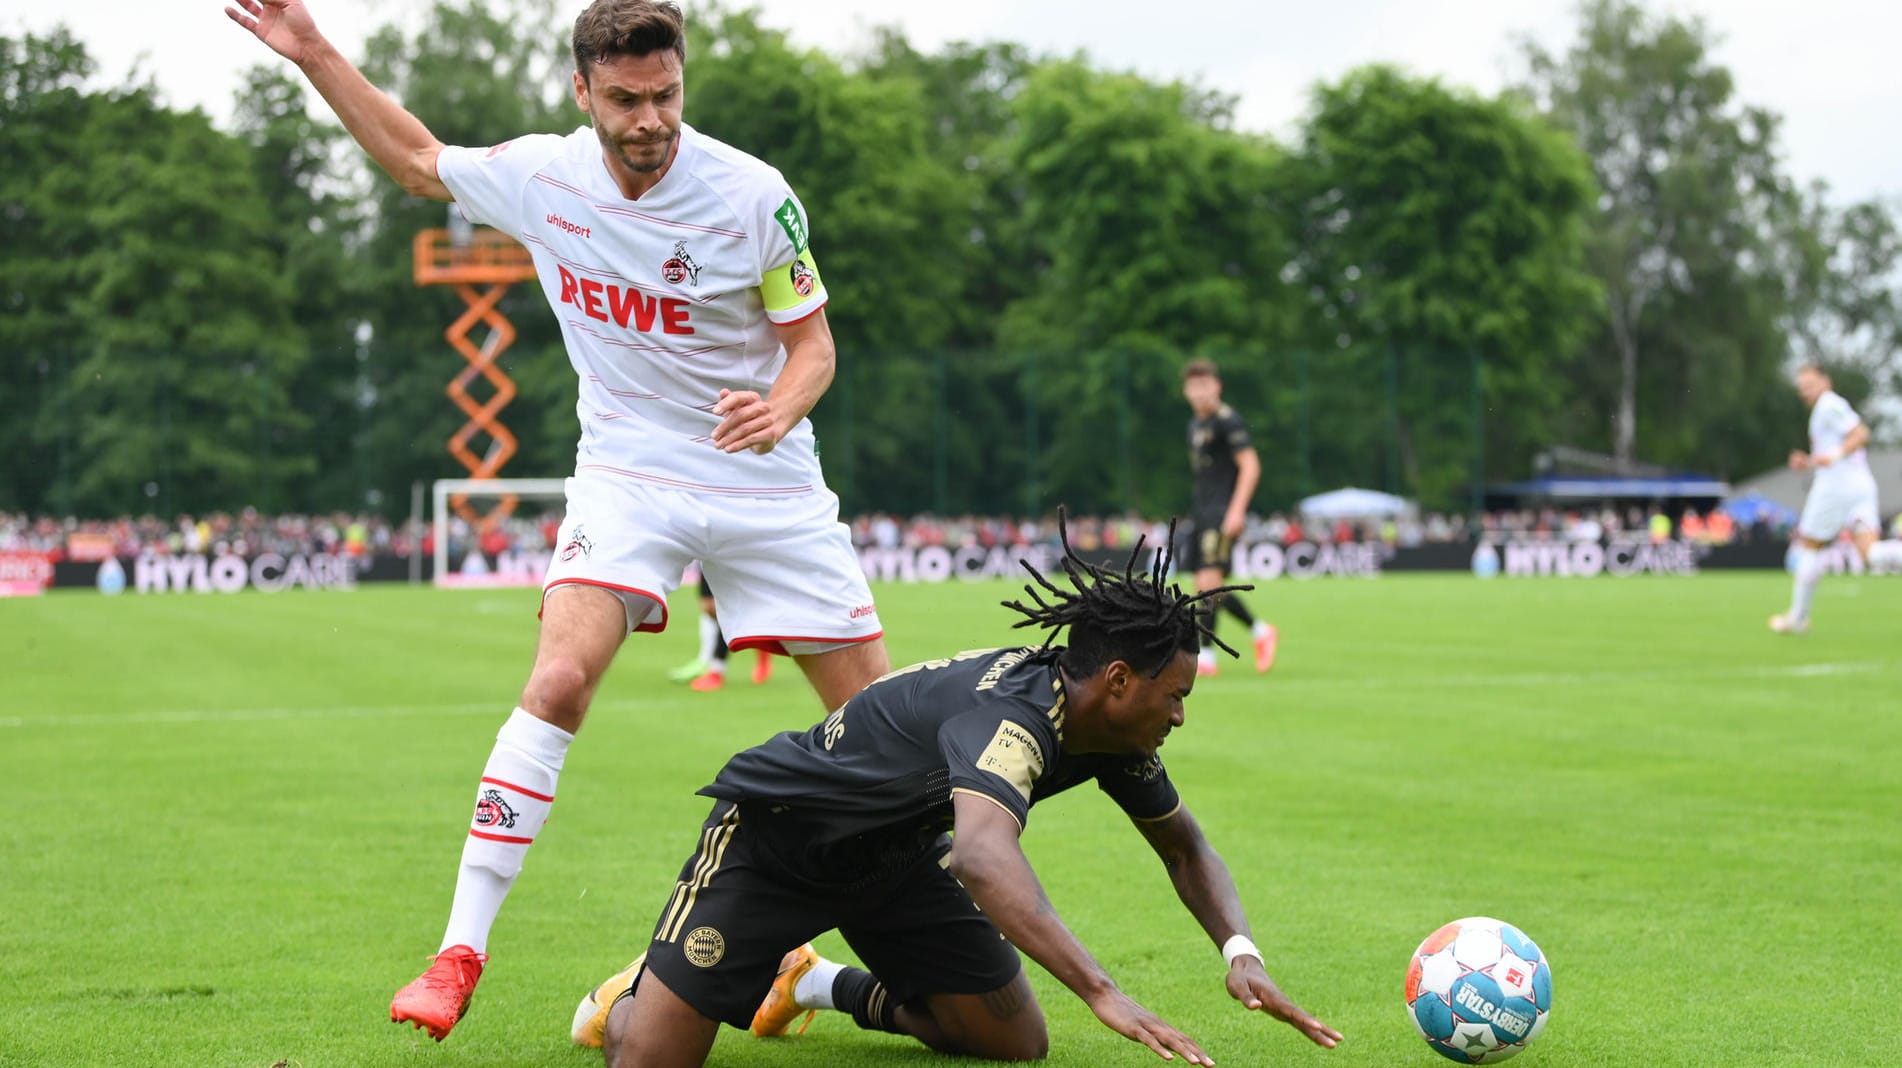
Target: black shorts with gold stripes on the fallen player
(741, 907)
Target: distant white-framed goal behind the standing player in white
(494, 531)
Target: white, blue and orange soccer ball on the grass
(1479, 991)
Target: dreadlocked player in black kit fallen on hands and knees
(845, 828)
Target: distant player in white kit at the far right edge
(1840, 499)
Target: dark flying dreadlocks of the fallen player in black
(1133, 615)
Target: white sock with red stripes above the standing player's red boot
(513, 801)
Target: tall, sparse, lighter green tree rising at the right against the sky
(1699, 244)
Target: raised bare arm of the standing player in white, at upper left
(397, 140)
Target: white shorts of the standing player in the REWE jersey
(783, 569)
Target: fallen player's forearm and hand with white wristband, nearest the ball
(1205, 887)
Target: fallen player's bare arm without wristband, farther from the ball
(988, 860)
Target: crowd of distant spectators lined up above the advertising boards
(248, 533)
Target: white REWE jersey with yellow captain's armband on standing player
(663, 301)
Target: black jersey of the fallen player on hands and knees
(889, 761)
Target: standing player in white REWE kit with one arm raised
(693, 315)
